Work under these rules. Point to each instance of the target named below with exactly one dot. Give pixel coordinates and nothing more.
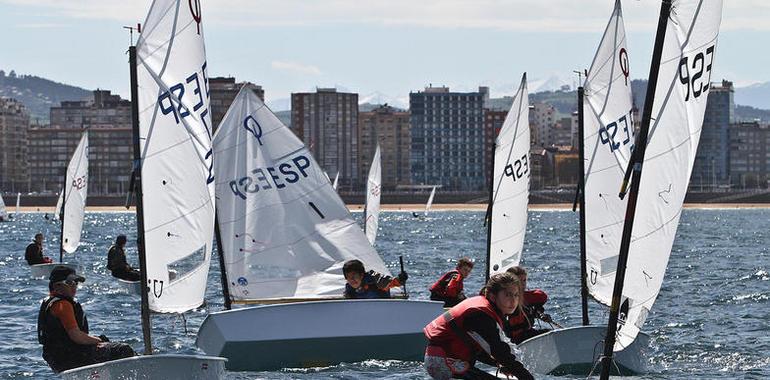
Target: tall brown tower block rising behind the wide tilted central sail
(327, 122)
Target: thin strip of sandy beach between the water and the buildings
(435, 207)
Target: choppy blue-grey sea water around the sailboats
(711, 320)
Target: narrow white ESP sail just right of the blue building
(510, 194)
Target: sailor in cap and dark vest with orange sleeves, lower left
(62, 327)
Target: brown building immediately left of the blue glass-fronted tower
(390, 127)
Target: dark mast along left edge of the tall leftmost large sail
(146, 323)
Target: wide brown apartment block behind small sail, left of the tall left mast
(108, 120)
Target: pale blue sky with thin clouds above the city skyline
(373, 47)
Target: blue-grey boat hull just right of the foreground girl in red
(575, 350)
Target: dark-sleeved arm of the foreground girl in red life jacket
(489, 336)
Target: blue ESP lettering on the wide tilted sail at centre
(271, 177)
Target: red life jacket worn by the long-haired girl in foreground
(448, 331)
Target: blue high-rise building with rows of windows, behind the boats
(448, 138)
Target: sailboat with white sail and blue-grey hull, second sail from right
(606, 137)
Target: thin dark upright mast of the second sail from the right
(582, 201)
